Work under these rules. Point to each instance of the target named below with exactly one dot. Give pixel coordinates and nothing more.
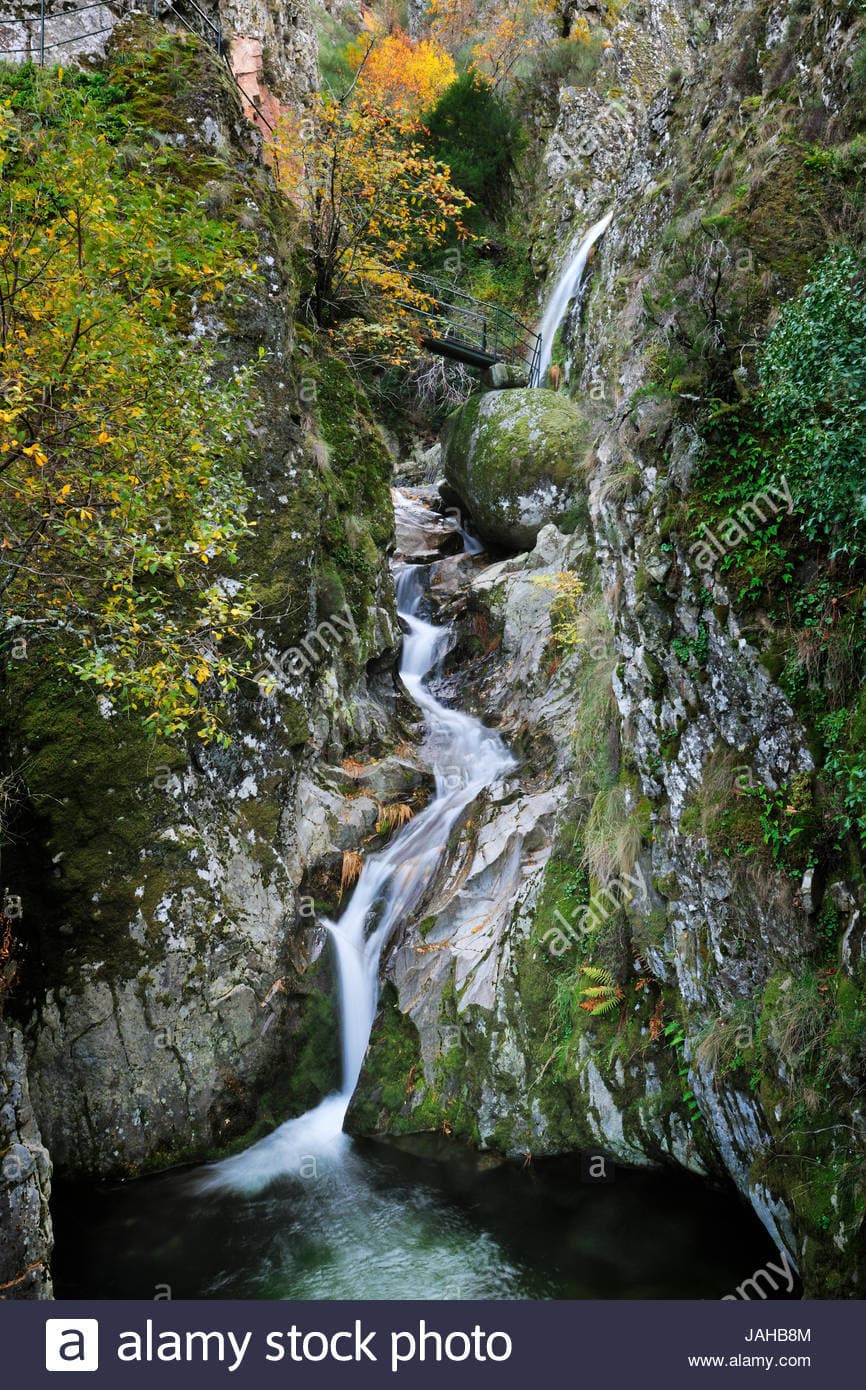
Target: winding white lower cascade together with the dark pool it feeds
(311, 1213)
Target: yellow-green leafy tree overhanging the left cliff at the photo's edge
(120, 450)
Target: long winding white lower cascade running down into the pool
(466, 758)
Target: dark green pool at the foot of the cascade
(379, 1223)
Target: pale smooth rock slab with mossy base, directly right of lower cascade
(469, 1036)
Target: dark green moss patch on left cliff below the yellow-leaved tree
(97, 800)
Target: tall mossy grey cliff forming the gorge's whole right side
(722, 940)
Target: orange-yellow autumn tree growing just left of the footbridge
(375, 204)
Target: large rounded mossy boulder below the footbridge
(512, 458)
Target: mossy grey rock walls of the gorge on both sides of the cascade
(647, 940)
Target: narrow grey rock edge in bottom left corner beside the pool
(26, 1182)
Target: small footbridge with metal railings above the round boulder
(457, 326)
